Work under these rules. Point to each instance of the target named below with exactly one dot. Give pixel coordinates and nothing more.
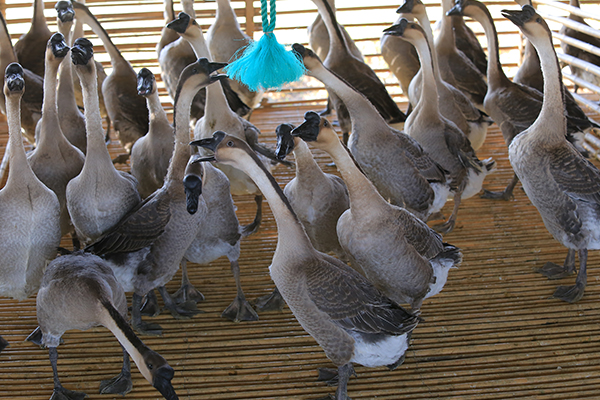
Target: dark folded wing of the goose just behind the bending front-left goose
(137, 229)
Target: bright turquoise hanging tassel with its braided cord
(266, 64)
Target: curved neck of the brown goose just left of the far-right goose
(495, 73)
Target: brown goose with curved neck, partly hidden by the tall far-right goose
(512, 106)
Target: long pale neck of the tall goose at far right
(552, 114)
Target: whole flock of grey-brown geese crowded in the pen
(132, 231)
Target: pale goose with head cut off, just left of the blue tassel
(225, 38)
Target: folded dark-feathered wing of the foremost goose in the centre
(352, 302)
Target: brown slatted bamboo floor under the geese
(494, 332)
